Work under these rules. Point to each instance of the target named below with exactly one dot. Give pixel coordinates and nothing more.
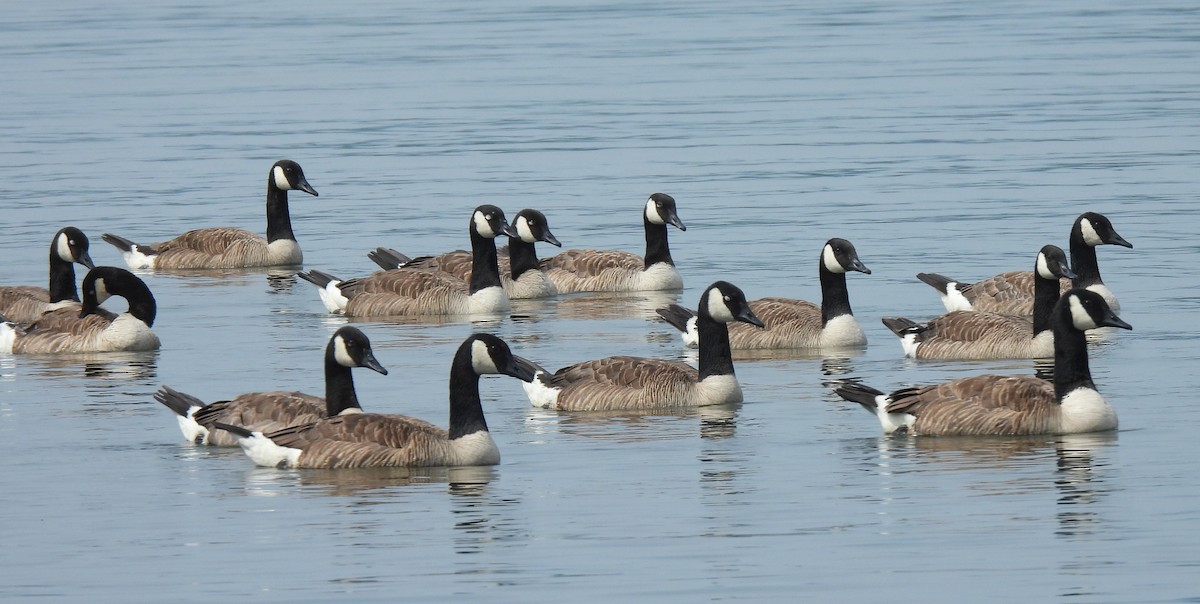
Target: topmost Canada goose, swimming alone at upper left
(227, 248)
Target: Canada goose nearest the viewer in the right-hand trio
(1010, 405)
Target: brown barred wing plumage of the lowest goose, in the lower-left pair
(367, 440)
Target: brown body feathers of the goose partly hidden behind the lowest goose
(263, 412)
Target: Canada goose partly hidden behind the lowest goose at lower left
(267, 412)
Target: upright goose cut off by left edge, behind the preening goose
(26, 304)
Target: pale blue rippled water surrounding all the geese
(956, 137)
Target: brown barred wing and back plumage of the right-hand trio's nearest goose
(981, 405)
